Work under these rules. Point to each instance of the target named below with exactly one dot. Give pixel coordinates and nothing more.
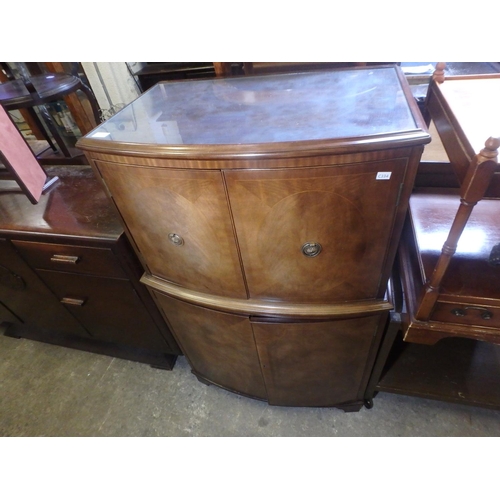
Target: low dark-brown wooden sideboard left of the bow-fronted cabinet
(70, 277)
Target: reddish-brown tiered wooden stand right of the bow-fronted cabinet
(442, 341)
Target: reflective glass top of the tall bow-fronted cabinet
(264, 109)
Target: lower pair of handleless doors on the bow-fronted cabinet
(323, 363)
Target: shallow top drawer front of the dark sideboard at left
(97, 261)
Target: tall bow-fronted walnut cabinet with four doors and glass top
(266, 212)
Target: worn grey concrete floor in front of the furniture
(48, 390)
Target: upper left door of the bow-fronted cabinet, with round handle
(156, 203)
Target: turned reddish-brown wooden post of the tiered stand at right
(473, 188)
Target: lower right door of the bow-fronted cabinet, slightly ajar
(315, 364)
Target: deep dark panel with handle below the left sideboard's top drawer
(108, 308)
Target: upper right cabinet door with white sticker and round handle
(349, 210)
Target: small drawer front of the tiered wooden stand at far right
(467, 314)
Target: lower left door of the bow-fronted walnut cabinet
(220, 347)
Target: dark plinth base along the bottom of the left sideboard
(164, 361)
